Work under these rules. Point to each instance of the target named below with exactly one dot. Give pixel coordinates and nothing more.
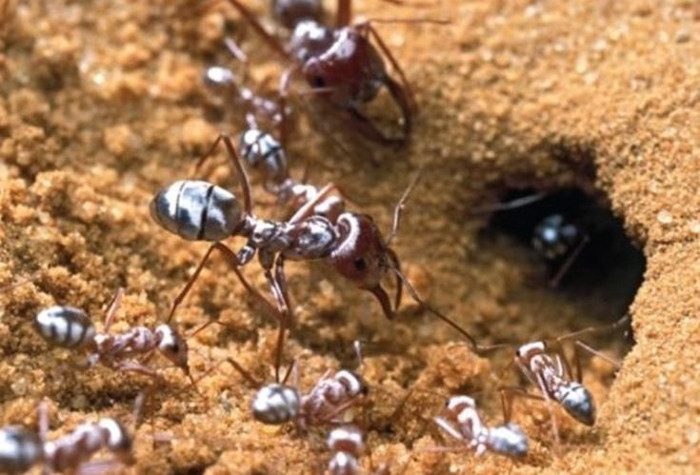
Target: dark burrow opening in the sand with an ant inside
(577, 246)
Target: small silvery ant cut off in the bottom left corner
(21, 449)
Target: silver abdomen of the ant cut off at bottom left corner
(19, 449)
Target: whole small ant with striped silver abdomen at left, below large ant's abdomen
(71, 327)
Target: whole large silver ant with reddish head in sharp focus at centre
(351, 244)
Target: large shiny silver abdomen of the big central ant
(197, 210)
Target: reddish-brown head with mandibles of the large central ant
(362, 256)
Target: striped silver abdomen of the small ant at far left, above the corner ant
(65, 326)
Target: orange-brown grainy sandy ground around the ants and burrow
(101, 104)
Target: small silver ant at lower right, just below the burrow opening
(547, 367)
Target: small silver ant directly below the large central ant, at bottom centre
(278, 403)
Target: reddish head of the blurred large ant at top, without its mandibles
(351, 68)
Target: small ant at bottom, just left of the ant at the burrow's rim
(463, 422)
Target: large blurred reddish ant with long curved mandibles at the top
(339, 62)
